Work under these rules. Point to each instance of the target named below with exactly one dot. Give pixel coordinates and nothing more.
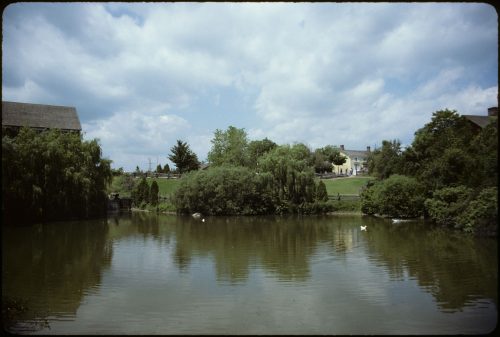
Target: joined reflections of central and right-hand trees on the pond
(454, 268)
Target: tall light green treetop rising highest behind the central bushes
(229, 148)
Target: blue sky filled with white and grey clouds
(144, 75)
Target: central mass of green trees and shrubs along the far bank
(250, 177)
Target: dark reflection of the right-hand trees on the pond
(454, 268)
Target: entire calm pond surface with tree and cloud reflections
(149, 274)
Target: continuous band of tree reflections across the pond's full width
(53, 266)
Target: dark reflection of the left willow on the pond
(51, 267)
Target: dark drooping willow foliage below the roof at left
(52, 175)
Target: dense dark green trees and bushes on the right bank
(449, 174)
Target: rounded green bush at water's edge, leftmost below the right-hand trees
(397, 196)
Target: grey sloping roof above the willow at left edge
(40, 116)
